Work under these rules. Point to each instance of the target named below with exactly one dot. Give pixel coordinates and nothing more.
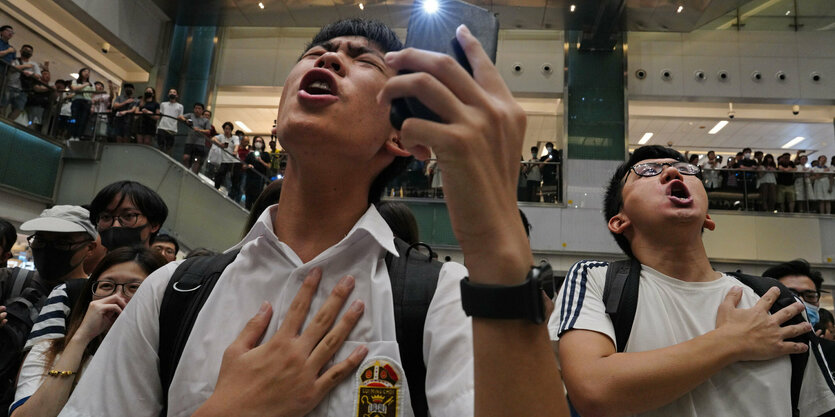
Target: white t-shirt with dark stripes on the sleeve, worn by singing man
(671, 311)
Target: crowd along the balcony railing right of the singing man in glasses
(785, 184)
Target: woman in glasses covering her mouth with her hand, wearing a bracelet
(51, 368)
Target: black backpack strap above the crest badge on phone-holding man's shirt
(414, 277)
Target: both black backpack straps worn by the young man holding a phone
(413, 275)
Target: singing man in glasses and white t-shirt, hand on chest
(701, 343)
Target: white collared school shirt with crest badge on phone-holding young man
(123, 380)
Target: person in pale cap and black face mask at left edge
(63, 238)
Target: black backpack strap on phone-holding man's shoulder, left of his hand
(187, 291)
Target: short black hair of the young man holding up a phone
(383, 37)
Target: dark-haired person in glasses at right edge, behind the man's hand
(805, 282)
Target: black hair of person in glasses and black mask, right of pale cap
(149, 203)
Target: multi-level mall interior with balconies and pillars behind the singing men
(596, 79)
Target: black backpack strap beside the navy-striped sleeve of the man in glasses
(620, 296)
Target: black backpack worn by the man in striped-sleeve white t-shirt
(620, 296)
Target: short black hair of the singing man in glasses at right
(614, 199)
